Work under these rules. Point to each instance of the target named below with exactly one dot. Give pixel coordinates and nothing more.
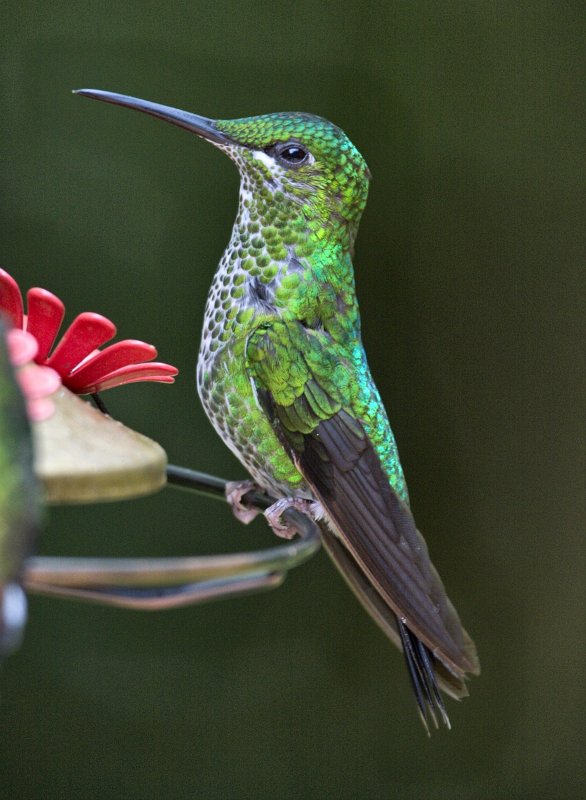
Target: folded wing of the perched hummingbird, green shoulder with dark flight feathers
(307, 384)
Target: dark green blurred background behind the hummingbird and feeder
(469, 268)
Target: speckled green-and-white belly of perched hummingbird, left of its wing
(229, 401)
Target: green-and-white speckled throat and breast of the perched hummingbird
(282, 257)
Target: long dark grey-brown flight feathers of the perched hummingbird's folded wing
(345, 472)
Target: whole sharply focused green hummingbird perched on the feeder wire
(283, 377)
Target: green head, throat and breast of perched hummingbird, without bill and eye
(292, 241)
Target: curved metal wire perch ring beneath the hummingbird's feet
(163, 583)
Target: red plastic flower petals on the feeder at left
(83, 368)
